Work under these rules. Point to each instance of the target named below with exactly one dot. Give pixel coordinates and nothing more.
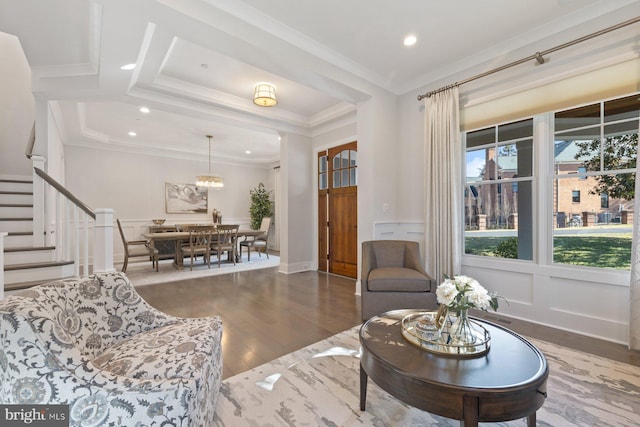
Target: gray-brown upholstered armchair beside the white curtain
(393, 278)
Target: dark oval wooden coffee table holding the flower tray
(507, 383)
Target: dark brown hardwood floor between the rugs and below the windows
(267, 314)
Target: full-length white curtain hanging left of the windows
(443, 184)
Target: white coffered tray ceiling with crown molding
(198, 60)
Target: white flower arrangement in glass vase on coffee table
(462, 293)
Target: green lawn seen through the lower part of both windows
(594, 250)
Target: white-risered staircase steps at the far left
(25, 265)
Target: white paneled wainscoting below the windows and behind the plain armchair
(590, 302)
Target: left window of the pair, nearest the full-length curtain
(498, 191)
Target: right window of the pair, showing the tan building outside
(595, 149)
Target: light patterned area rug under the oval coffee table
(319, 385)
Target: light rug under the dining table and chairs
(141, 273)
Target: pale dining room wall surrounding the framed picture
(134, 186)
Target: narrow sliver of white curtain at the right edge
(634, 287)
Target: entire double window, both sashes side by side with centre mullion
(587, 190)
